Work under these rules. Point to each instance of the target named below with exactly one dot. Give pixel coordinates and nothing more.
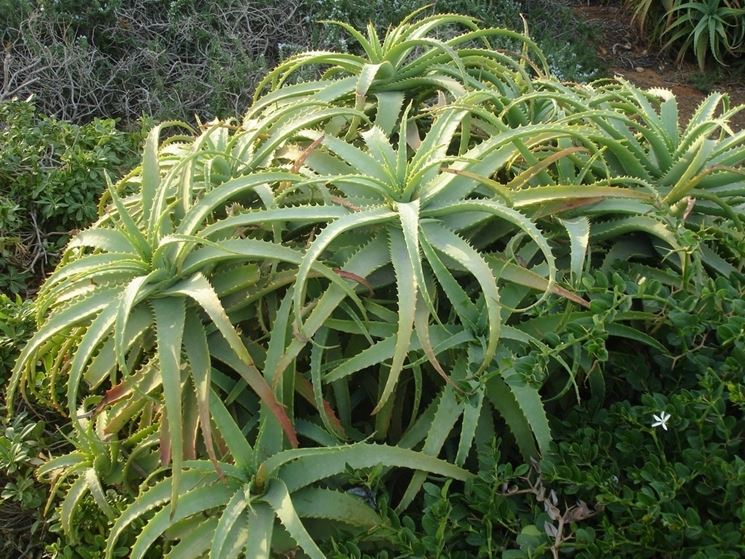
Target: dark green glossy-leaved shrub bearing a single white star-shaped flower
(628, 486)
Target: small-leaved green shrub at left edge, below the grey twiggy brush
(51, 175)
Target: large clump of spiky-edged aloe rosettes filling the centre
(355, 260)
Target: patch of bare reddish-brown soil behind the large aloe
(626, 54)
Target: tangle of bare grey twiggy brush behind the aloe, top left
(168, 59)
